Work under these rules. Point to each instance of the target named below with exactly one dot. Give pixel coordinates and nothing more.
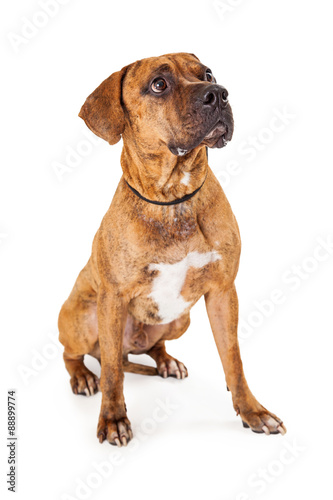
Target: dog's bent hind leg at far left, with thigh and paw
(78, 333)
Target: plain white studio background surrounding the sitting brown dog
(271, 56)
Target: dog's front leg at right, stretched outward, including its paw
(222, 309)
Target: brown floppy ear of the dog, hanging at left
(103, 112)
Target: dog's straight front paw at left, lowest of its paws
(116, 432)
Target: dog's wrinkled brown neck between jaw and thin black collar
(162, 176)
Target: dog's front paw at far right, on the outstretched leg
(262, 421)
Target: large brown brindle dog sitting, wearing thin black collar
(168, 238)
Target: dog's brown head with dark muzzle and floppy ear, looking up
(170, 101)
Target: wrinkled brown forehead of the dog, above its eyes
(173, 63)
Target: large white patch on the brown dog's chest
(167, 286)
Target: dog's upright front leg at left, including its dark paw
(113, 424)
